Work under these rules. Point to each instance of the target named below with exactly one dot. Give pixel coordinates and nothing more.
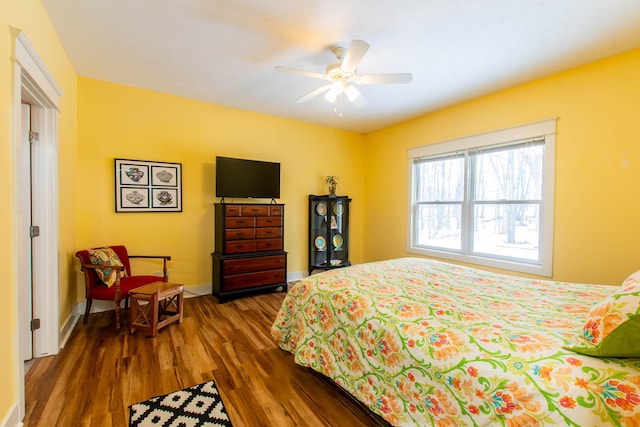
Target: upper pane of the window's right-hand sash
(509, 173)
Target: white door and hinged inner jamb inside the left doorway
(37, 270)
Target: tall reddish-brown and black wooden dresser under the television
(249, 249)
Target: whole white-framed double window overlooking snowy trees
(486, 199)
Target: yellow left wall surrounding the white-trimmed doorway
(30, 17)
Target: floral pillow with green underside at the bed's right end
(612, 328)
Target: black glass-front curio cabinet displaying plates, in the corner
(328, 232)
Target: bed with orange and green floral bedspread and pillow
(426, 343)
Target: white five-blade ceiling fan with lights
(342, 75)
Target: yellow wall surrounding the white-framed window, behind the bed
(597, 234)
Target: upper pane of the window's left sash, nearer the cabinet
(440, 179)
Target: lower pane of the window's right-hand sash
(507, 230)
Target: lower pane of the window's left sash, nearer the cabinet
(439, 226)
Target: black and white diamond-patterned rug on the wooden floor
(197, 406)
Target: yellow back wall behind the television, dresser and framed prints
(117, 121)
